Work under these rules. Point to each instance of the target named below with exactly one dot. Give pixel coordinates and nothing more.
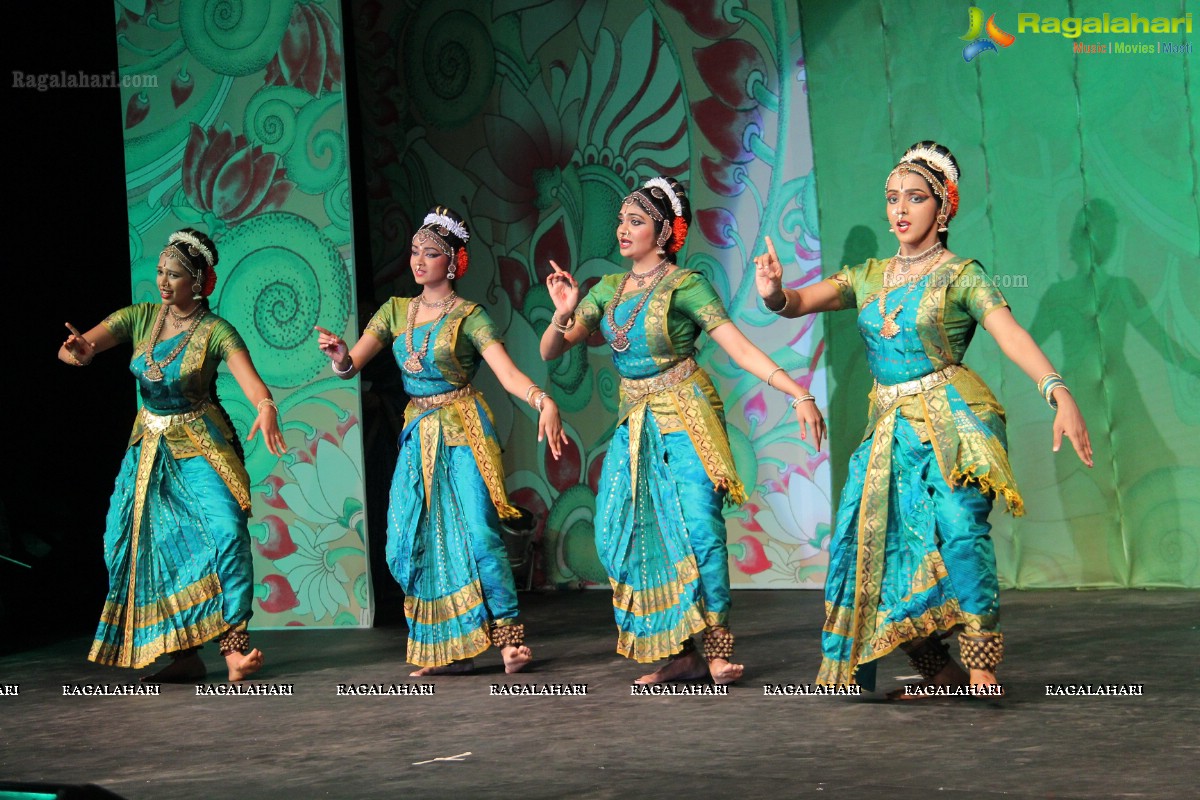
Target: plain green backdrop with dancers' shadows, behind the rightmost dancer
(1079, 181)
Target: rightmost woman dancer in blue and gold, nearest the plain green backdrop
(911, 560)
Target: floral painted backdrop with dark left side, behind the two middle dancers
(535, 118)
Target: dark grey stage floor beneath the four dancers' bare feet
(609, 744)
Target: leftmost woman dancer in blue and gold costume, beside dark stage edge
(176, 540)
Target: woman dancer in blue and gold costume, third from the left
(669, 470)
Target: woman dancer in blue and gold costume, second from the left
(448, 494)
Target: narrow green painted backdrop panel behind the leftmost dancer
(244, 136)
